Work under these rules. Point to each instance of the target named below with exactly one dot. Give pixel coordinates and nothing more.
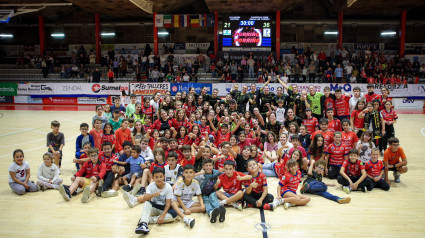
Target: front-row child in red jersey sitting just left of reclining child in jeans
(288, 185)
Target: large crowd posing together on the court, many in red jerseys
(165, 150)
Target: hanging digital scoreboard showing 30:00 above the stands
(247, 31)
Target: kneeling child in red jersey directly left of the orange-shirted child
(375, 171)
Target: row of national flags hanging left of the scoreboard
(184, 20)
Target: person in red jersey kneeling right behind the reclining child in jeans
(336, 153)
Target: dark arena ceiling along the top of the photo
(128, 10)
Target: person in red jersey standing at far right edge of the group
(389, 117)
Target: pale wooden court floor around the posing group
(399, 212)
